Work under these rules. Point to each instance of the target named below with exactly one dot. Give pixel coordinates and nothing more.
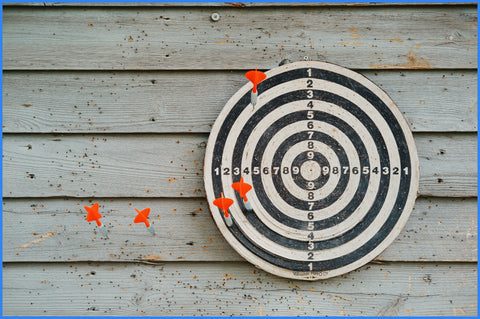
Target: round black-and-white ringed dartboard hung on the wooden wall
(332, 166)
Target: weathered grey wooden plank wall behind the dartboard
(114, 104)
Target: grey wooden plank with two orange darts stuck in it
(45, 230)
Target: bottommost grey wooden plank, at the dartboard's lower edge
(234, 289)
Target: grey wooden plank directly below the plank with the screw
(89, 102)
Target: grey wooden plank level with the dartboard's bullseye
(167, 165)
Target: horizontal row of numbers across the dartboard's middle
(325, 170)
